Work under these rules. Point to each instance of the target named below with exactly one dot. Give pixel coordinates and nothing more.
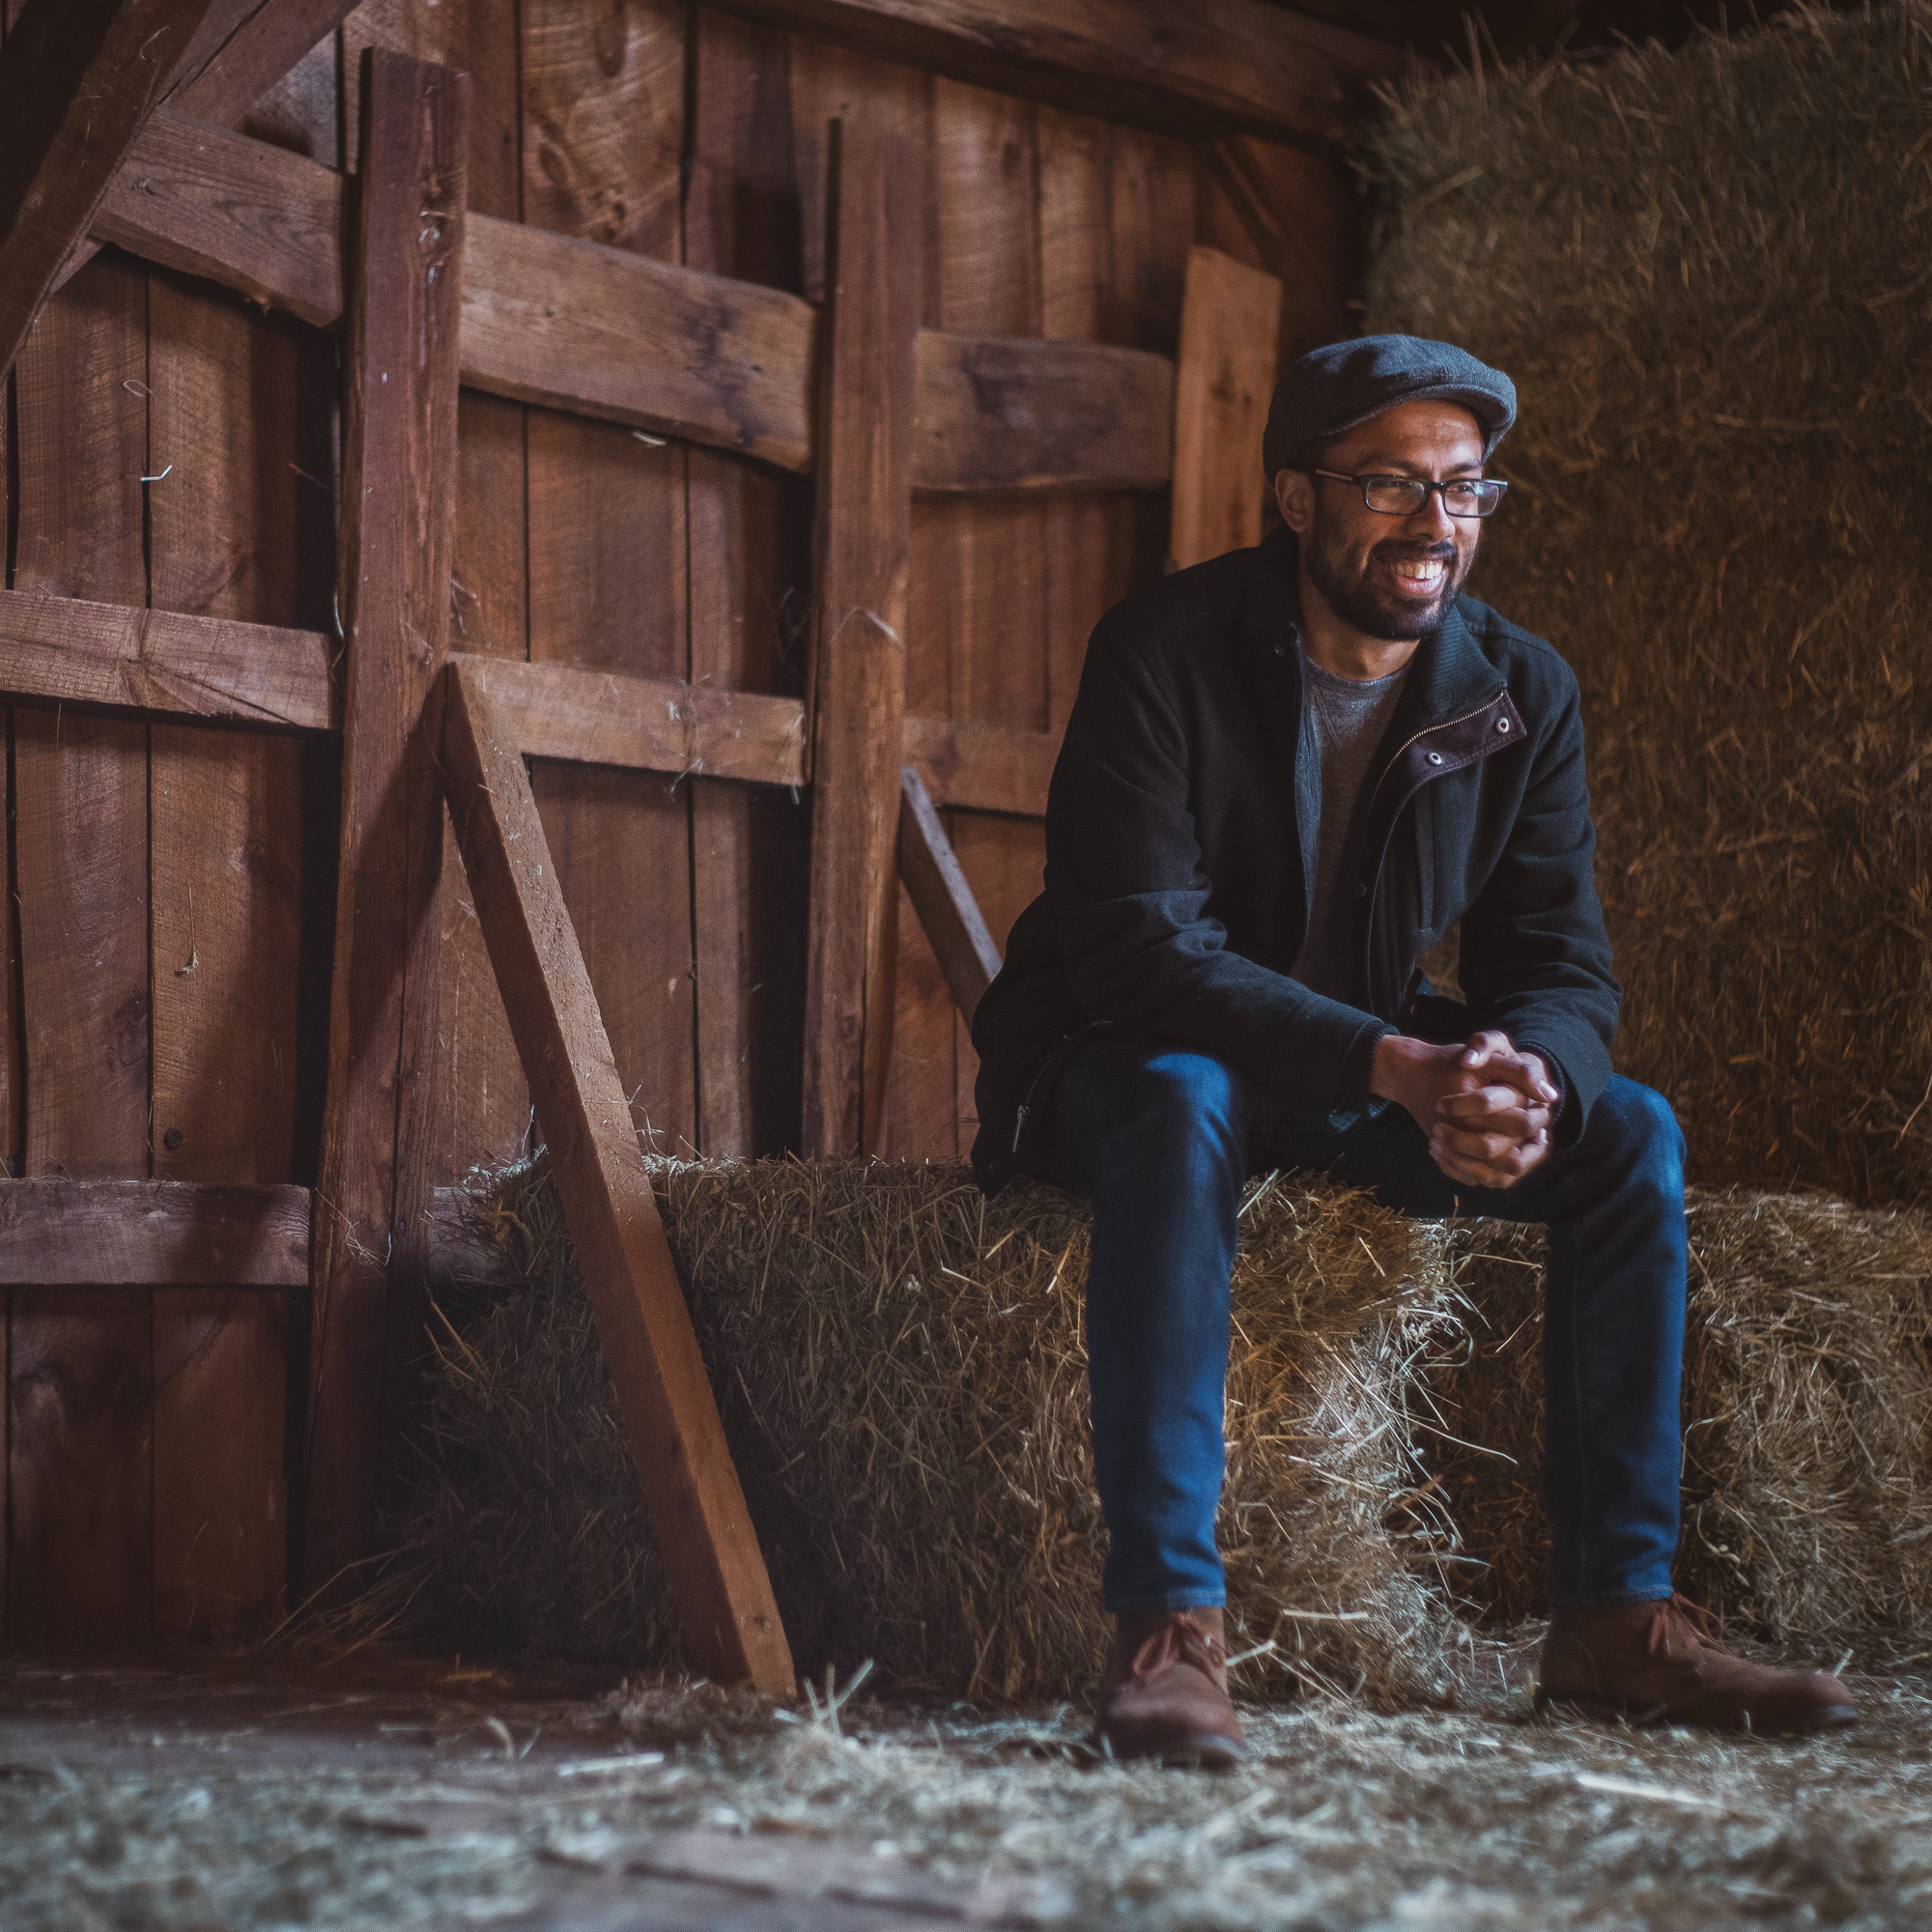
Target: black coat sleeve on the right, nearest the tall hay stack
(1537, 959)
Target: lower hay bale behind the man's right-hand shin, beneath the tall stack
(1807, 1417)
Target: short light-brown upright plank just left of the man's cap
(1230, 327)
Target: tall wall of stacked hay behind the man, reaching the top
(1711, 275)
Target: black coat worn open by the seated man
(1181, 847)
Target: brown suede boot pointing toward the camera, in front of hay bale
(1166, 1693)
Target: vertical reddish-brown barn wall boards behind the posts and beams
(163, 990)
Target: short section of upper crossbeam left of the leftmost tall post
(237, 212)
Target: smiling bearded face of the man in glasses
(1388, 577)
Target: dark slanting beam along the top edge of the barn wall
(1193, 67)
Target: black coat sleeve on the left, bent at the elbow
(1131, 899)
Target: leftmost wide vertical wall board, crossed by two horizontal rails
(80, 1380)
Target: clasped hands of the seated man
(1487, 1108)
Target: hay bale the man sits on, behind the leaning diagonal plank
(903, 1380)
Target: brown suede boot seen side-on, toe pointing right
(1659, 1664)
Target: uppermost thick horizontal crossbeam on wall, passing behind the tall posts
(608, 333)
